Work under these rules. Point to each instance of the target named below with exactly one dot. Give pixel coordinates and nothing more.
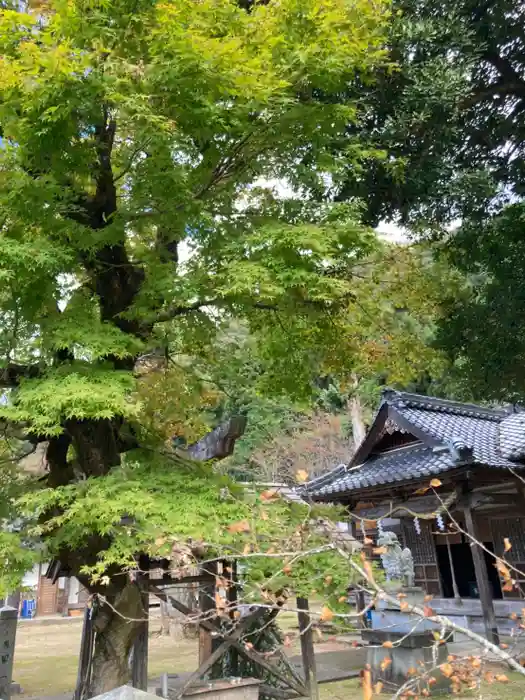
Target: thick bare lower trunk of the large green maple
(116, 630)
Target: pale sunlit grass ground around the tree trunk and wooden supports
(46, 660)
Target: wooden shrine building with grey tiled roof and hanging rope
(476, 457)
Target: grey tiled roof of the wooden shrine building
(450, 435)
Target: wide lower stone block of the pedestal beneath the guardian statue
(413, 652)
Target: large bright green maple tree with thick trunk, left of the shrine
(138, 222)
